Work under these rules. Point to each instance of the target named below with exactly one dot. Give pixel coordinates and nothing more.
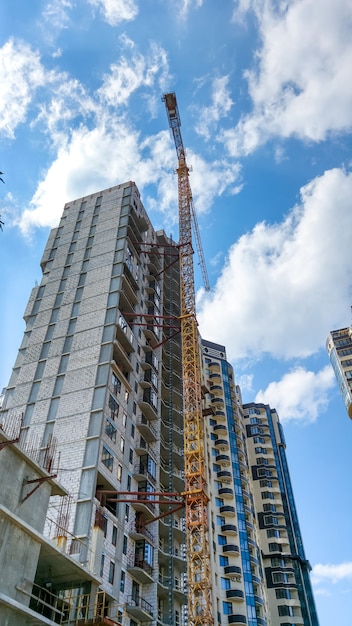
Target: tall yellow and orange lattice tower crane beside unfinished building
(200, 612)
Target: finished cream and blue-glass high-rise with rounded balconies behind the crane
(260, 574)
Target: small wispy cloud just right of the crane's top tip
(220, 106)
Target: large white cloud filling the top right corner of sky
(301, 86)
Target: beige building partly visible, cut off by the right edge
(339, 347)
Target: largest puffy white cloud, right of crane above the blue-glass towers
(285, 285)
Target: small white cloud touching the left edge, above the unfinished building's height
(21, 73)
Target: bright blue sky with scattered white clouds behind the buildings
(265, 97)
